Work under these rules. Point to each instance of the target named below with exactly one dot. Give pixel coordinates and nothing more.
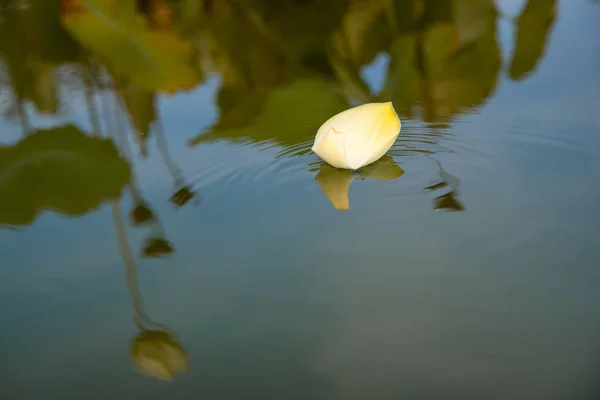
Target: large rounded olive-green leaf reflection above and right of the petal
(446, 67)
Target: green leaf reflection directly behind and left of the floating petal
(291, 114)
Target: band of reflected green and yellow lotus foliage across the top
(445, 58)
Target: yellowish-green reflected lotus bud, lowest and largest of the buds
(157, 354)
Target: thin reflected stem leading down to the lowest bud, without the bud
(131, 276)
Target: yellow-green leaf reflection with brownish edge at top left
(118, 35)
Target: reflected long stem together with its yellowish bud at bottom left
(155, 350)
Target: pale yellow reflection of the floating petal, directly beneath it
(335, 182)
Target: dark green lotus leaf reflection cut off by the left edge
(59, 169)
